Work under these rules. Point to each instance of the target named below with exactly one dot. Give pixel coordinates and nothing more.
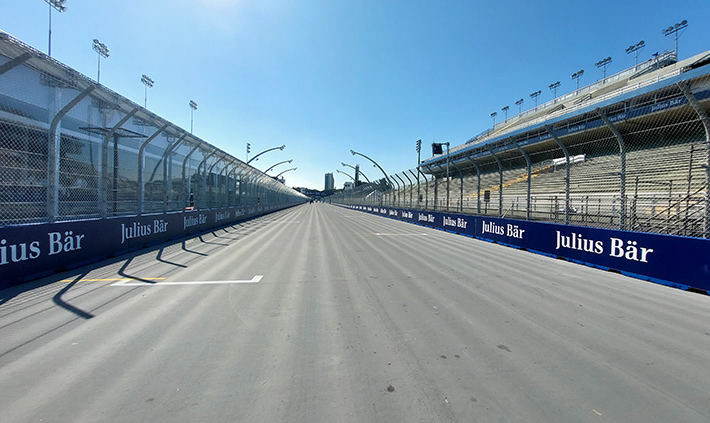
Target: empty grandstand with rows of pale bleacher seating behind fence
(627, 152)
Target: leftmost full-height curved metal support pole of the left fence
(53, 148)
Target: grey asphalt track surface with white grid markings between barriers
(323, 314)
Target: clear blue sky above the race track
(327, 76)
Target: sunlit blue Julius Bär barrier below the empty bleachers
(680, 262)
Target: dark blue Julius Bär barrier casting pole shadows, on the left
(31, 251)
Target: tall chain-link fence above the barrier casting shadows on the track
(71, 149)
